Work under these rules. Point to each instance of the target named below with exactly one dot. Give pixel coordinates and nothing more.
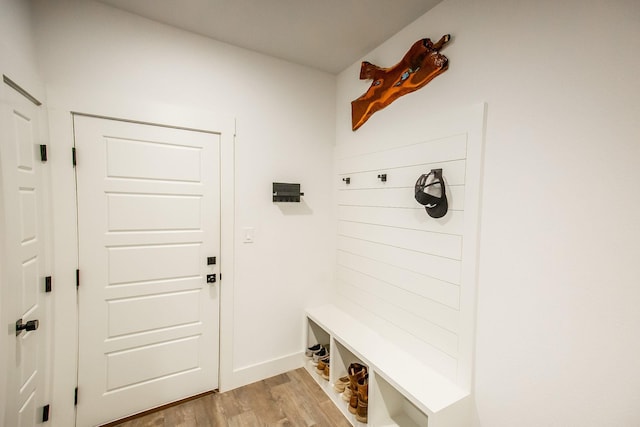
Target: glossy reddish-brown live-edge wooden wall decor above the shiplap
(421, 64)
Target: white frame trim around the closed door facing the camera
(61, 107)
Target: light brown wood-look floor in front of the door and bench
(291, 399)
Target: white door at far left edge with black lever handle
(23, 263)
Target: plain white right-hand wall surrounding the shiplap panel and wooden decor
(557, 338)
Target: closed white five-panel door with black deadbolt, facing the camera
(148, 220)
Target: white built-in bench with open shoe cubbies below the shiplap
(403, 391)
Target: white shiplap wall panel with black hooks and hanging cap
(410, 276)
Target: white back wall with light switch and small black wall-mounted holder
(285, 132)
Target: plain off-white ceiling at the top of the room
(328, 35)
